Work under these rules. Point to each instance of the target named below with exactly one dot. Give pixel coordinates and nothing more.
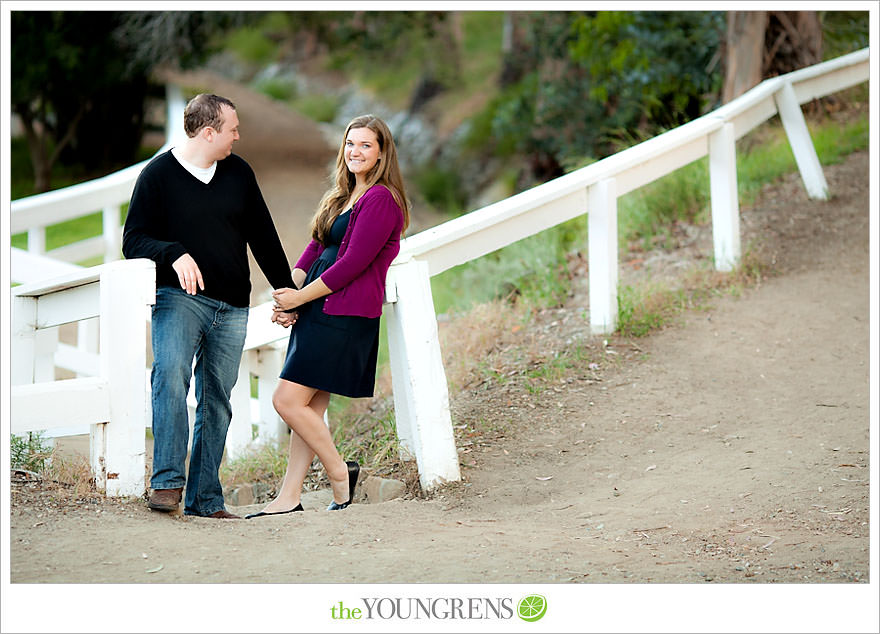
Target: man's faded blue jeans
(187, 327)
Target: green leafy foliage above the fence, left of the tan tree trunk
(593, 81)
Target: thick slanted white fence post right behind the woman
(421, 397)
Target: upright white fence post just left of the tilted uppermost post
(724, 197)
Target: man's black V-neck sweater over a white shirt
(172, 213)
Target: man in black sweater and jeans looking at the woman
(194, 211)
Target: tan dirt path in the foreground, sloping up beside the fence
(731, 448)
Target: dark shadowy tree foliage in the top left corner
(79, 79)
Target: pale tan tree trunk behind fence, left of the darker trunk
(744, 52)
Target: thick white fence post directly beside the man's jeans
(118, 447)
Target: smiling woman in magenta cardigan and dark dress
(340, 279)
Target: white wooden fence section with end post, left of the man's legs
(116, 402)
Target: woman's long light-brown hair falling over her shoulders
(385, 172)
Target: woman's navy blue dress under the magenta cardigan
(333, 353)
